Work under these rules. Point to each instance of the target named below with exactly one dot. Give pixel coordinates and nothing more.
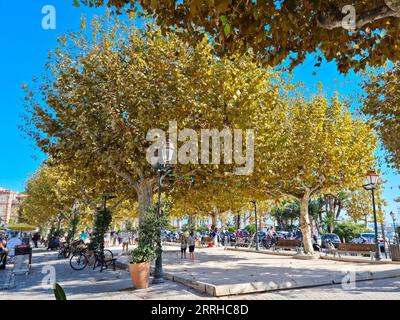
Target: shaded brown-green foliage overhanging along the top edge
(276, 30)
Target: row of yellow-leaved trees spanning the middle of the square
(106, 86)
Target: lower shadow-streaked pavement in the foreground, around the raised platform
(91, 284)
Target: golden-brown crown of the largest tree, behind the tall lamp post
(102, 92)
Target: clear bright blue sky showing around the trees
(25, 45)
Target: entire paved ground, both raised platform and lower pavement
(237, 275)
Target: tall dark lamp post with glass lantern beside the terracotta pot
(163, 167)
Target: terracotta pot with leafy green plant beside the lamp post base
(139, 265)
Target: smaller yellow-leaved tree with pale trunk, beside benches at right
(316, 145)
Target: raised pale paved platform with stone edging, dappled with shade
(220, 272)
